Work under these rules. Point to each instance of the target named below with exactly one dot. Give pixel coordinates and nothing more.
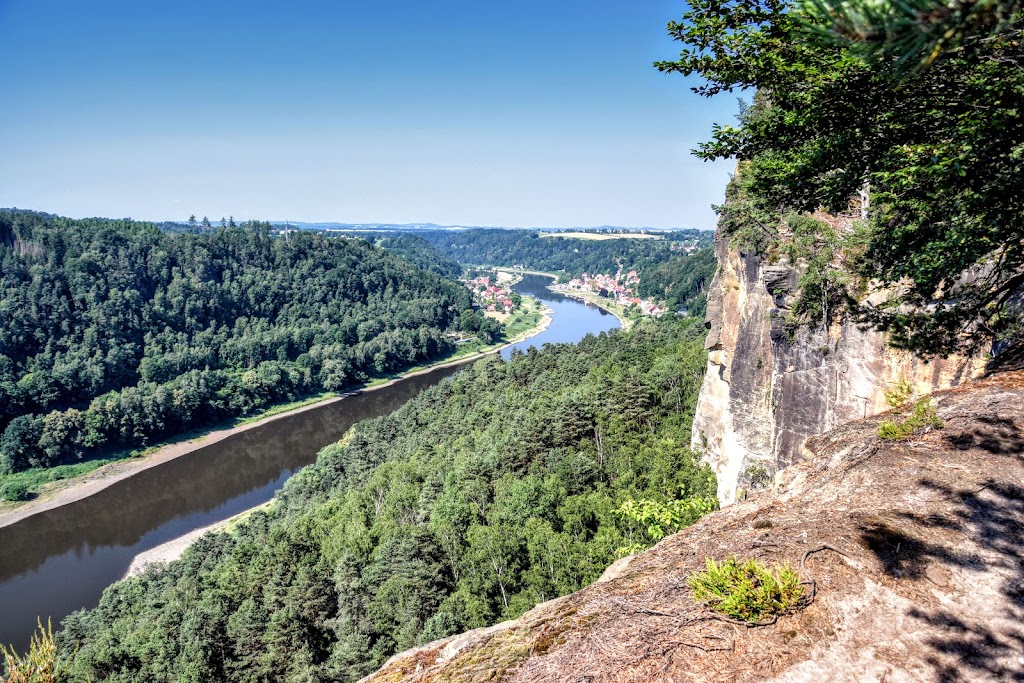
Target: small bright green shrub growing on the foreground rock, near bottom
(748, 591)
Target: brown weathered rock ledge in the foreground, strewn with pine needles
(917, 548)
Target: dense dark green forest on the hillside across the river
(114, 333)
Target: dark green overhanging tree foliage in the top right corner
(831, 121)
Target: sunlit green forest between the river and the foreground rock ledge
(486, 495)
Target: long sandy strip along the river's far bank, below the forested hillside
(75, 490)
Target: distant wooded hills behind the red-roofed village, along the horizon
(673, 277)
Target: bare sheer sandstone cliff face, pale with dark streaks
(763, 395)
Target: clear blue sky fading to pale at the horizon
(534, 113)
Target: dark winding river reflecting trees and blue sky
(60, 561)
